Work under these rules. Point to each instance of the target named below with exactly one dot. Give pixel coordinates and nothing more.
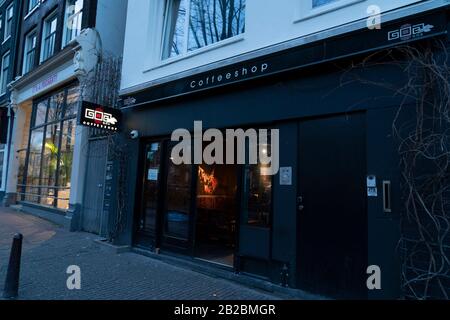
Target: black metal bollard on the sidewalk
(12, 277)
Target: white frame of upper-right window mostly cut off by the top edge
(306, 11)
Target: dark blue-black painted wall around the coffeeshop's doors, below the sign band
(282, 101)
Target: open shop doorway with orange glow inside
(215, 227)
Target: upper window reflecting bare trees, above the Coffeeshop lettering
(194, 24)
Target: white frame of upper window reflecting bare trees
(186, 53)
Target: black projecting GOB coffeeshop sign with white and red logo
(100, 117)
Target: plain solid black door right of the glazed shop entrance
(332, 215)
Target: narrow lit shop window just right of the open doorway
(257, 189)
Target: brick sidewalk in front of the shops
(49, 250)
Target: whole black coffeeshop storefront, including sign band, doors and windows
(334, 207)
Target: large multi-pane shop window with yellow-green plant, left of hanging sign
(47, 178)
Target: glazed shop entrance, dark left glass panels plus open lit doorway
(188, 209)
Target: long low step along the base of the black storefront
(219, 272)
